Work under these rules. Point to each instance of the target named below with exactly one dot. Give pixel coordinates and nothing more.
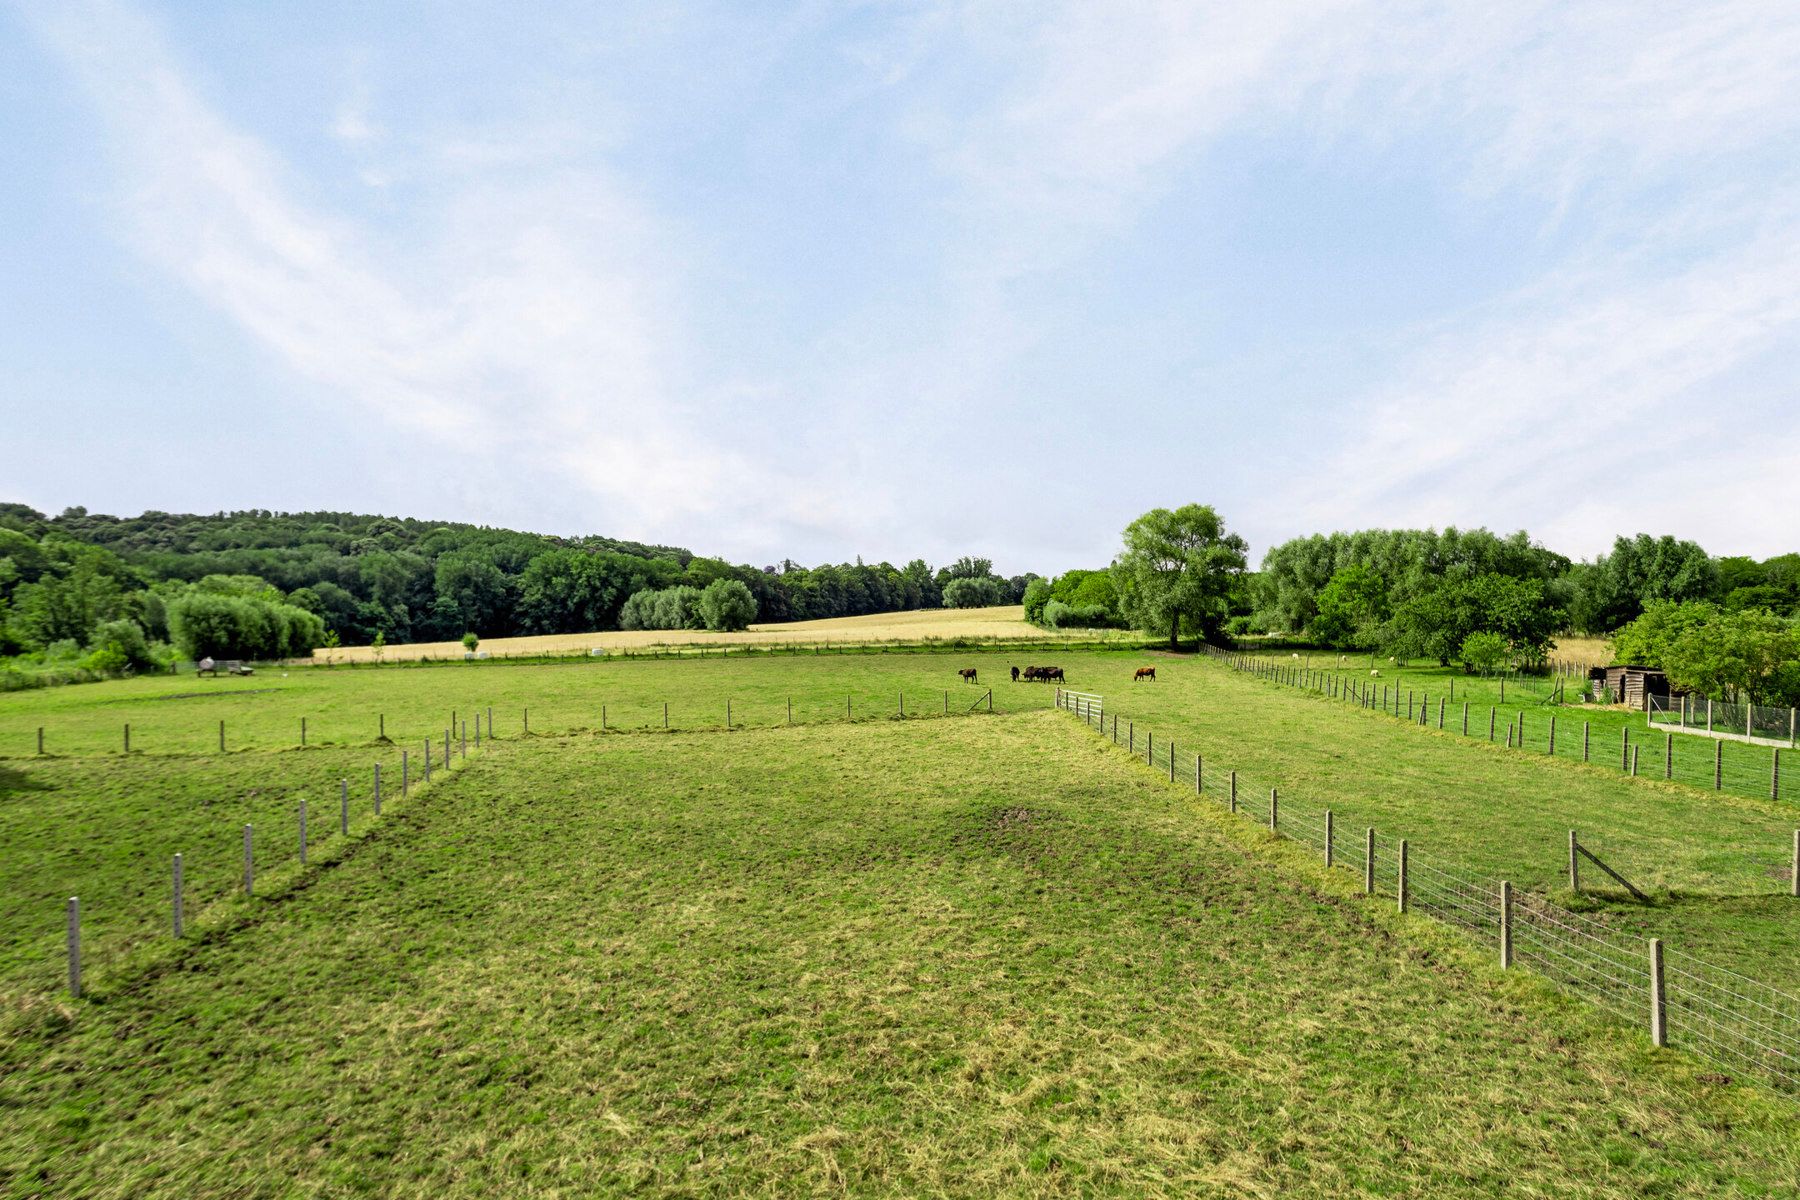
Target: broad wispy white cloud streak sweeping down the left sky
(534, 325)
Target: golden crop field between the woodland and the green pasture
(930, 625)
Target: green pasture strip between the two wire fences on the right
(1714, 866)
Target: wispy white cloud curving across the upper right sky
(1668, 129)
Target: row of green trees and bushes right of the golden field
(1471, 598)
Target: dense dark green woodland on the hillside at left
(262, 586)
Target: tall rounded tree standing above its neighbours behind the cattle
(1178, 568)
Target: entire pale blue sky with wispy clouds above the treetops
(910, 280)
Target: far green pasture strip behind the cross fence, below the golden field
(355, 706)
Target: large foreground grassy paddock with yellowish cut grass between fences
(982, 956)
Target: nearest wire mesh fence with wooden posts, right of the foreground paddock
(1716, 1014)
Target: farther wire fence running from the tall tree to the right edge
(1758, 769)
